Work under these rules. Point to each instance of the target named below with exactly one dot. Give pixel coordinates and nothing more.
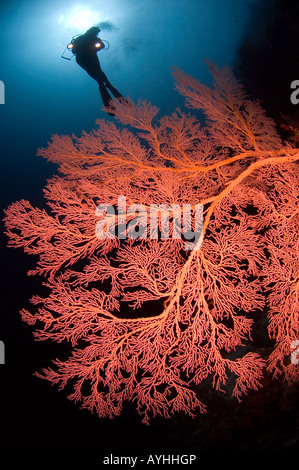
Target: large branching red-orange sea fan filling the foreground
(150, 314)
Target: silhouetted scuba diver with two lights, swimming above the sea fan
(85, 48)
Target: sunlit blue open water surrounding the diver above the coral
(45, 94)
